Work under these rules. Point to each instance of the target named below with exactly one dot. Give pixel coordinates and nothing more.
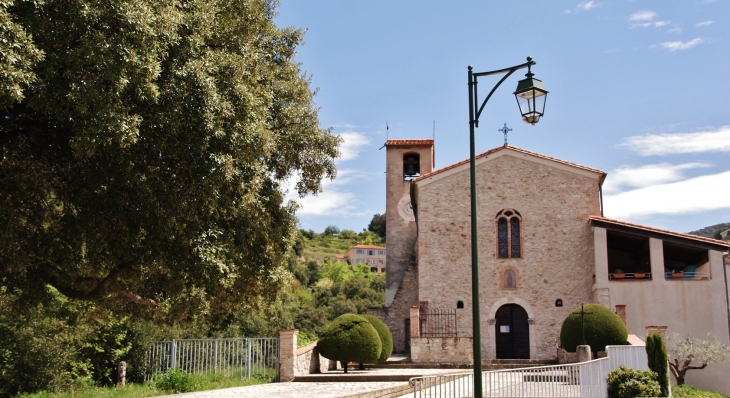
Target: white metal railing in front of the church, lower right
(586, 379)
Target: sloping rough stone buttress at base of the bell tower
(396, 315)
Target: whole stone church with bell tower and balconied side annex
(544, 249)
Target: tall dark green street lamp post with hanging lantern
(531, 95)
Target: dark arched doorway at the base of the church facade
(512, 332)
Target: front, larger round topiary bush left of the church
(350, 338)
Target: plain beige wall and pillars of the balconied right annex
(687, 307)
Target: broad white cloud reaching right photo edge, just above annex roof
(695, 195)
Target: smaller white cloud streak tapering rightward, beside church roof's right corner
(647, 175)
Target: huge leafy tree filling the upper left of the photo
(144, 147)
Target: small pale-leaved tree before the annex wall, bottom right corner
(692, 353)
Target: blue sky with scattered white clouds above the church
(638, 89)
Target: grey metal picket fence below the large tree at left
(233, 357)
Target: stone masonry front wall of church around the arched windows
(557, 244)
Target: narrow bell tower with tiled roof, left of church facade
(405, 161)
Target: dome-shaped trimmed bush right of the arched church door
(603, 328)
